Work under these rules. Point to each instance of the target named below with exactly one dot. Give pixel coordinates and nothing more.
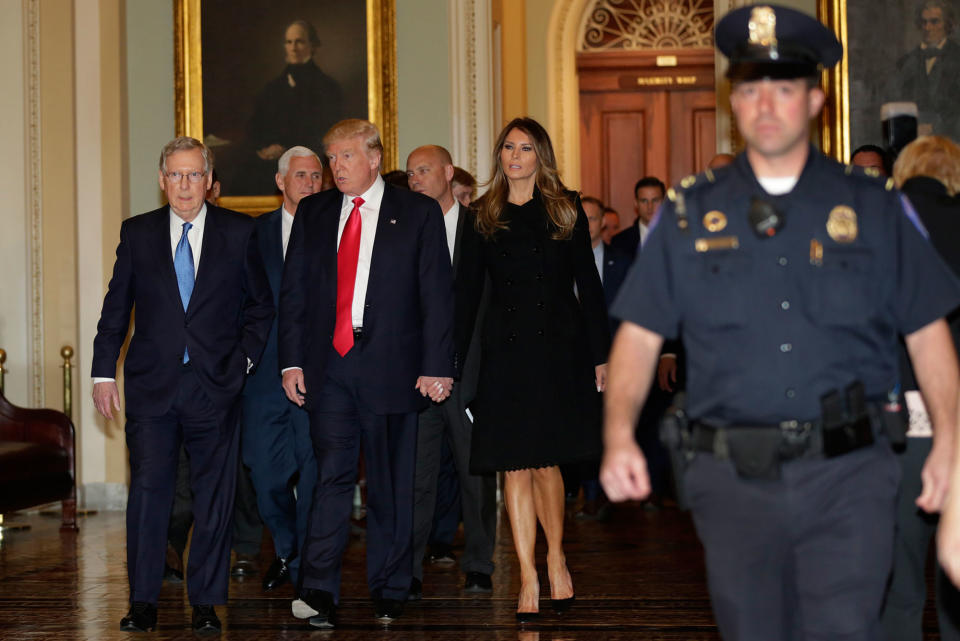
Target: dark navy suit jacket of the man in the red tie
(408, 313)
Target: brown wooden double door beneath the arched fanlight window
(639, 119)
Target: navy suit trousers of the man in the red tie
(340, 424)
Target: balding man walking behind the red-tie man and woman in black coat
(430, 171)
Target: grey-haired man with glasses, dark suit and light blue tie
(195, 340)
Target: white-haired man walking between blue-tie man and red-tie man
(276, 433)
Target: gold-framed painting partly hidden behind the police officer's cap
(894, 51)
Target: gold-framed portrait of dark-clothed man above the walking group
(255, 78)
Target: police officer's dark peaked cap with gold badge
(770, 41)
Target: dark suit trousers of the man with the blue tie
(210, 436)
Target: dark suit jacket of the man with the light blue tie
(225, 324)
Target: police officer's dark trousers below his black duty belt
(803, 558)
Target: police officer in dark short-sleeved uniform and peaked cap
(788, 277)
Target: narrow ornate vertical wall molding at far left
(34, 240)
